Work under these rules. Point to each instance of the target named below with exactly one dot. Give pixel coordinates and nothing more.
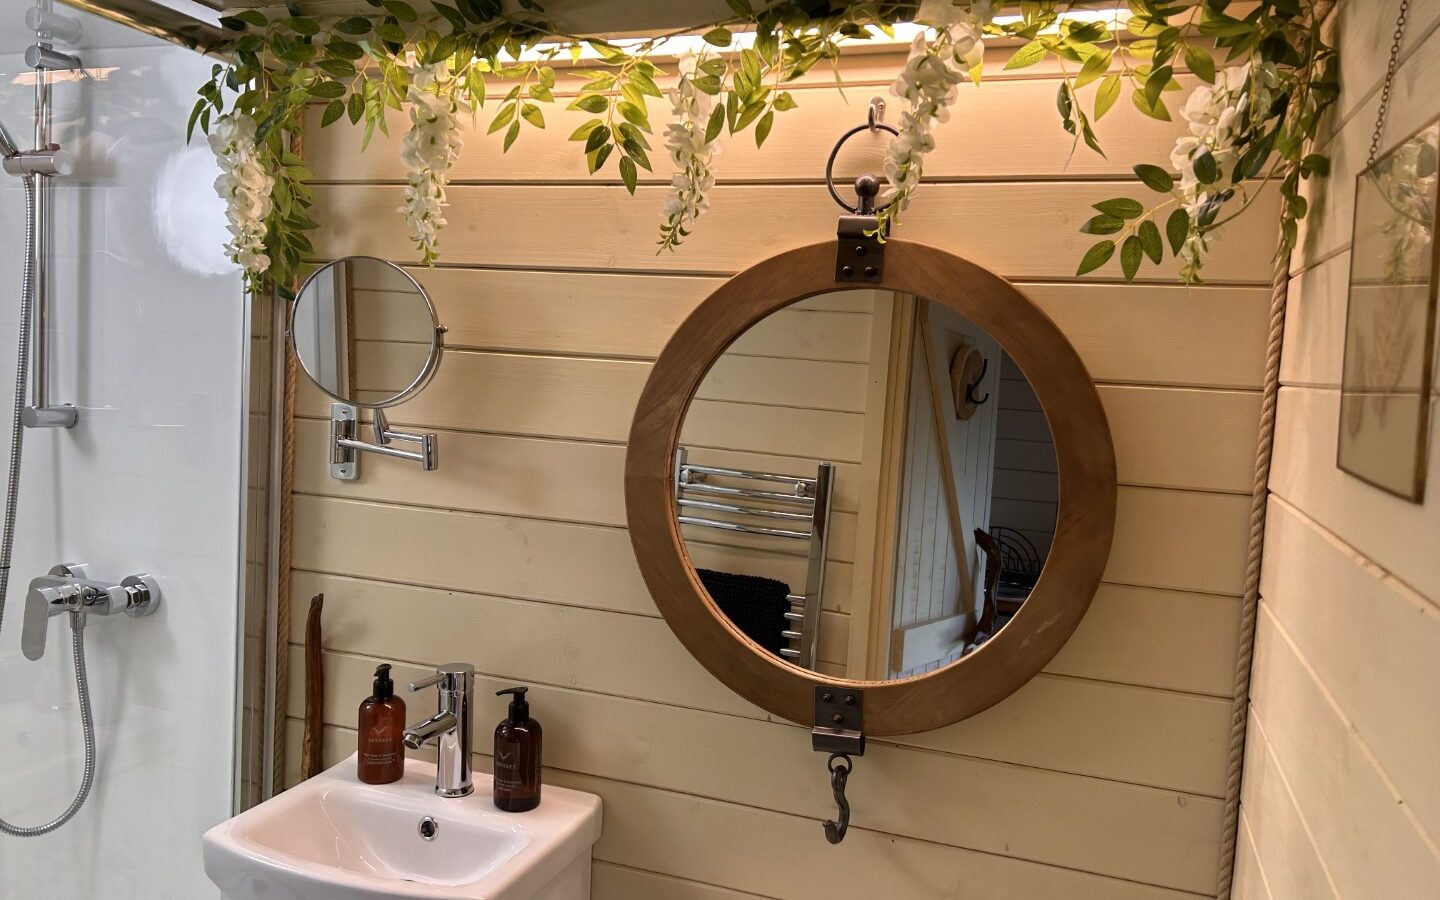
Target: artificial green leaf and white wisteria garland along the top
(1268, 78)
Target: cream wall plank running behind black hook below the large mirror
(963, 803)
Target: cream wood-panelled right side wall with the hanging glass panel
(1341, 788)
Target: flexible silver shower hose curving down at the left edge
(8, 536)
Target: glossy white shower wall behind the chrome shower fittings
(149, 338)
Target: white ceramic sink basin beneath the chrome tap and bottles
(336, 839)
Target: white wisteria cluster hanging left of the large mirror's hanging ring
(692, 155)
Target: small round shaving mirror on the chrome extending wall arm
(365, 332)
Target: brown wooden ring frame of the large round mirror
(1085, 521)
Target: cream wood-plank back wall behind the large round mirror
(1102, 780)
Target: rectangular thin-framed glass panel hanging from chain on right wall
(1392, 319)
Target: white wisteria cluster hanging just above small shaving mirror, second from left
(430, 150)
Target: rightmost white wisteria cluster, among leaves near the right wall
(1218, 116)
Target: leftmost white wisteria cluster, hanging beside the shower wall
(246, 186)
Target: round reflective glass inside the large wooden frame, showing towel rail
(866, 485)
